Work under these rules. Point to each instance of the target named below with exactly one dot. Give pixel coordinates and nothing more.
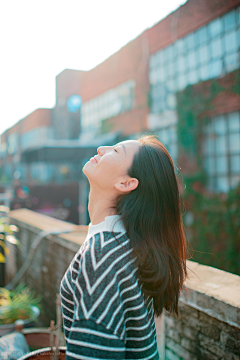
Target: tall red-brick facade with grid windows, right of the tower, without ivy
(136, 90)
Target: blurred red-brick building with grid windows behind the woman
(178, 80)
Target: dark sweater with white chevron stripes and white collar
(105, 313)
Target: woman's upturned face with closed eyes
(110, 166)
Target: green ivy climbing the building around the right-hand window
(214, 232)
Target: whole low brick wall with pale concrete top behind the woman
(208, 326)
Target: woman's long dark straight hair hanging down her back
(152, 217)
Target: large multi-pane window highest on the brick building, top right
(207, 53)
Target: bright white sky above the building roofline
(39, 39)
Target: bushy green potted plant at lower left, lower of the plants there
(17, 304)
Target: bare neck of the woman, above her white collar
(100, 205)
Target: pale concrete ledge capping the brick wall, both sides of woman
(207, 289)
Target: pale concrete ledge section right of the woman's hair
(214, 292)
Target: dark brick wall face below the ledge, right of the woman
(196, 335)
